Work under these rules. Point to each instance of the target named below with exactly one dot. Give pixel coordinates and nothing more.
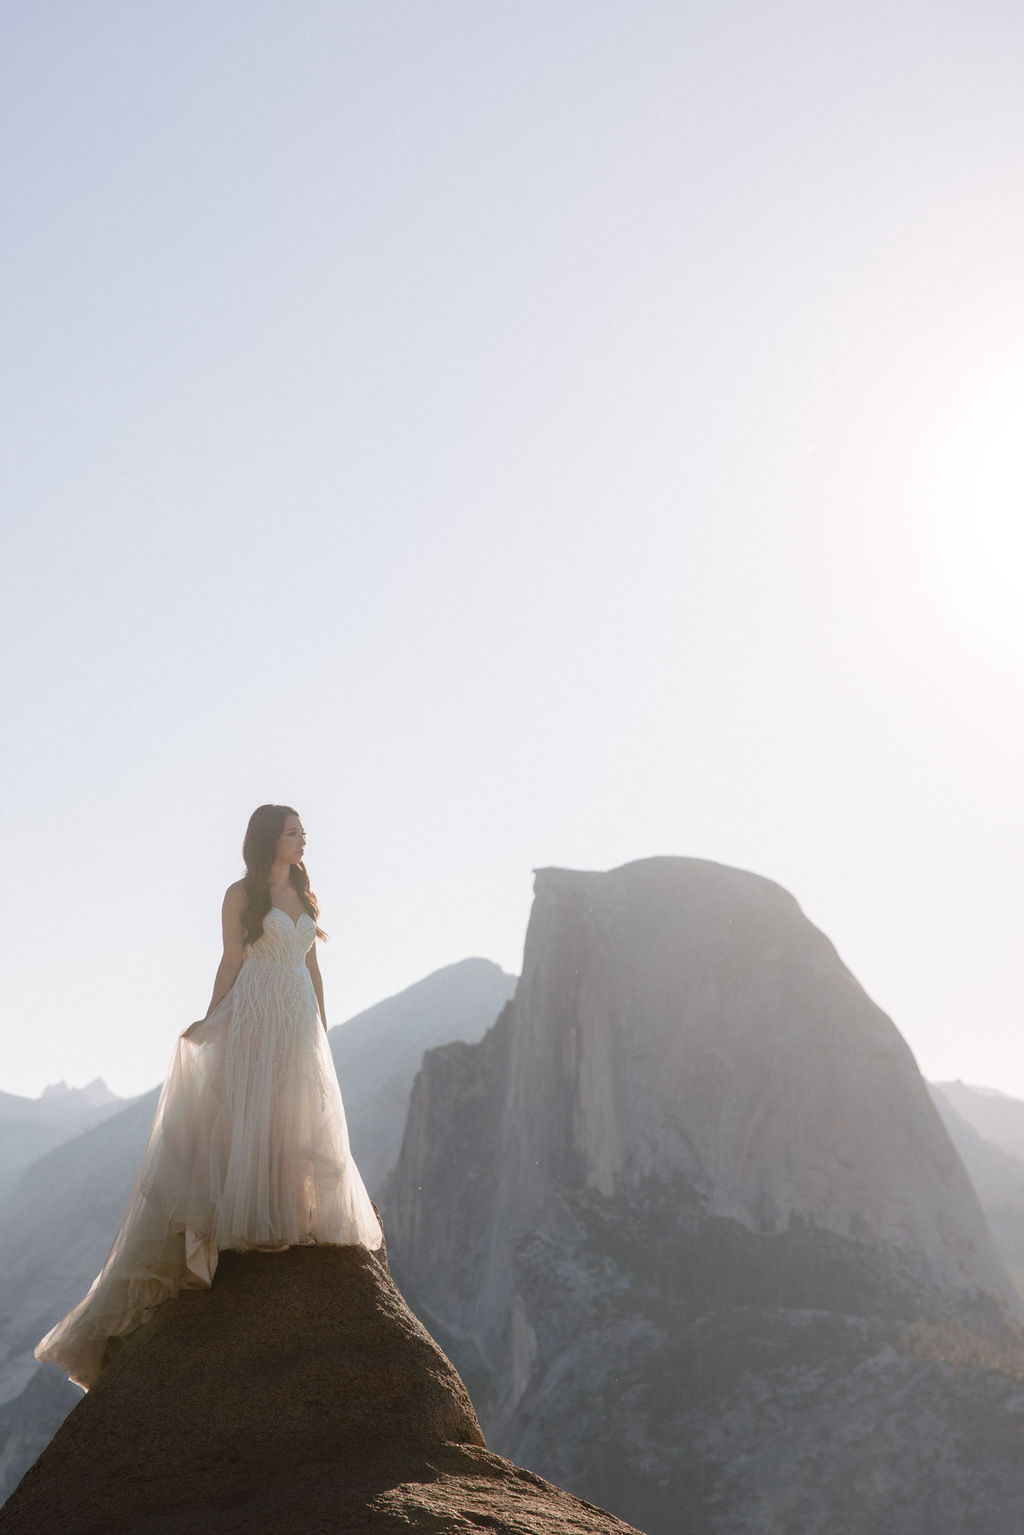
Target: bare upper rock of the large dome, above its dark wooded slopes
(678, 1017)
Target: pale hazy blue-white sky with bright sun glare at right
(515, 434)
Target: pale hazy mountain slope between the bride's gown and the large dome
(378, 1054)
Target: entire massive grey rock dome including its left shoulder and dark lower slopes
(689, 1195)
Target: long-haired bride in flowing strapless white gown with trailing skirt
(249, 1146)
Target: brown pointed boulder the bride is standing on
(299, 1395)
